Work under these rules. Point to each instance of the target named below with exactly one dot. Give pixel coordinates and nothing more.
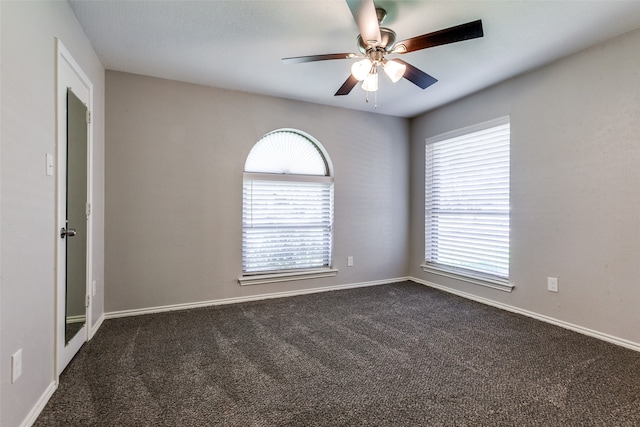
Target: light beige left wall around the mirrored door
(27, 213)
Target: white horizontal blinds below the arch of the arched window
(286, 225)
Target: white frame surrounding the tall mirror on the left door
(70, 75)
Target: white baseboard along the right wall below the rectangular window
(566, 325)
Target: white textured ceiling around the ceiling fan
(239, 44)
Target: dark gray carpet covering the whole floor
(394, 355)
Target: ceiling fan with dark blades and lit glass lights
(374, 42)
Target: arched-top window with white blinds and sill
(287, 209)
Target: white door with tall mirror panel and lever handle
(73, 208)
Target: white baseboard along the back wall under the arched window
(186, 306)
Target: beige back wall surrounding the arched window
(174, 157)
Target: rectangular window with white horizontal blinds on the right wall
(467, 204)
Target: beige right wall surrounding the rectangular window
(575, 186)
